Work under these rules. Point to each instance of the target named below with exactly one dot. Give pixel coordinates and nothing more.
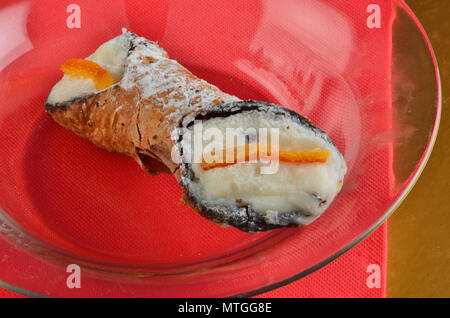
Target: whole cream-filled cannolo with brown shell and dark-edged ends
(248, 164)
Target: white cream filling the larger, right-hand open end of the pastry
(294, 187)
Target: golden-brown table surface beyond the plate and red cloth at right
(419, 231)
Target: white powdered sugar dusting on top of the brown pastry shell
(165, 82)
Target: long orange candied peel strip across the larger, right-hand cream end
(262, 151)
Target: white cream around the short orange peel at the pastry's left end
(111, 55)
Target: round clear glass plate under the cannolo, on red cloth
(376, 91)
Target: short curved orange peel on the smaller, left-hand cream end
(79, 68)
